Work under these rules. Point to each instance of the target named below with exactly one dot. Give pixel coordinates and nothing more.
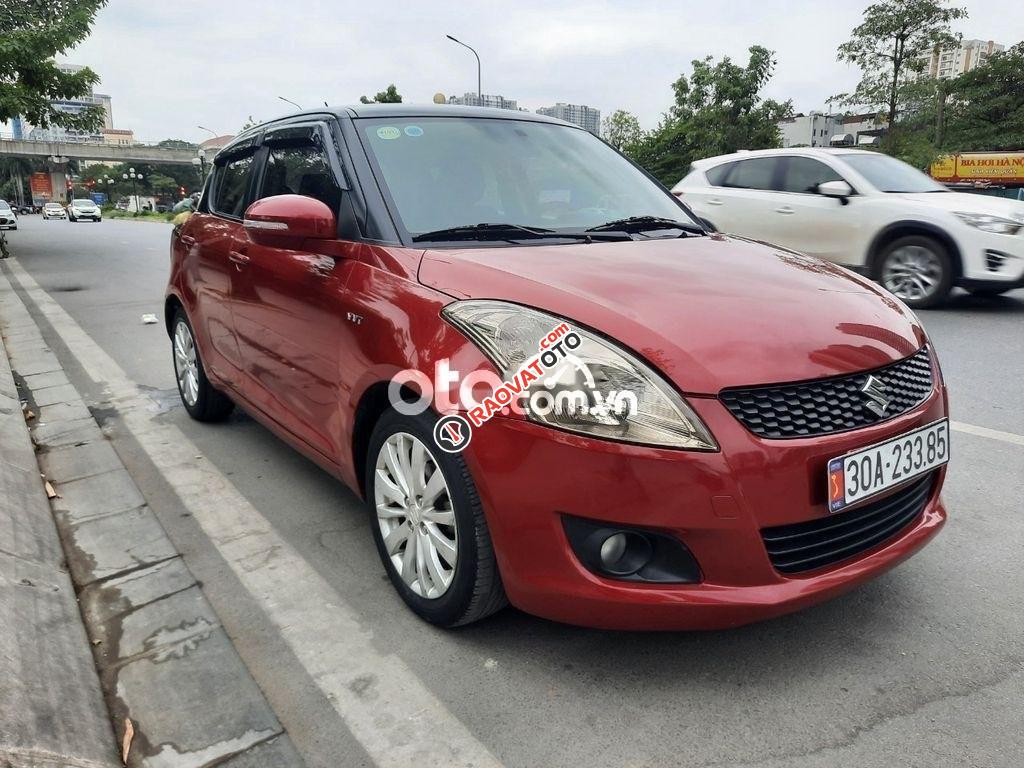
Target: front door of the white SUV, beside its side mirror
(814, 224)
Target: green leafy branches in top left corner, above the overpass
(35, 32)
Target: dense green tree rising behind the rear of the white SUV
(718, 110)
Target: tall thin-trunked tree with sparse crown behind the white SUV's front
(890, 45)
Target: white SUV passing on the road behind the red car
(868, 211)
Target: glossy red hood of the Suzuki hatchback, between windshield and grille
(710, 313)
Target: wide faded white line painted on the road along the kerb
(396, 718)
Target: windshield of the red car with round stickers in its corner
(450, 173)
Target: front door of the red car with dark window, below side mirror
(287, 304)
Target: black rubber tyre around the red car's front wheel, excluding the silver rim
(476, 590)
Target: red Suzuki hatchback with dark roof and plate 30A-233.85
(550, 385)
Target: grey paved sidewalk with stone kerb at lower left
(165, 664)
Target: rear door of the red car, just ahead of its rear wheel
(217, 235)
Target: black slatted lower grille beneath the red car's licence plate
(806, 546)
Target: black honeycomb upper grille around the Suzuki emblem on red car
(828, 406)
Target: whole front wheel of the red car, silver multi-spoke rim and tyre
(429, 525)
